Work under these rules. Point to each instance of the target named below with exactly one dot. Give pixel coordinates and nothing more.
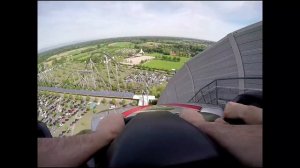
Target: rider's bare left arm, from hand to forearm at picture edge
(75, 150)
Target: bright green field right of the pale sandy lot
(166, 65)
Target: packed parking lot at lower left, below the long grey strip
(65, 116)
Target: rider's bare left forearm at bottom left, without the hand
(69, 151)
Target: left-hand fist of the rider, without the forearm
(111, 126)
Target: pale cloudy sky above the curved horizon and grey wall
(62, 22)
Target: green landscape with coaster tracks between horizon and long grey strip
(85, 66)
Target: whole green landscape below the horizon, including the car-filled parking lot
(129, 65)
